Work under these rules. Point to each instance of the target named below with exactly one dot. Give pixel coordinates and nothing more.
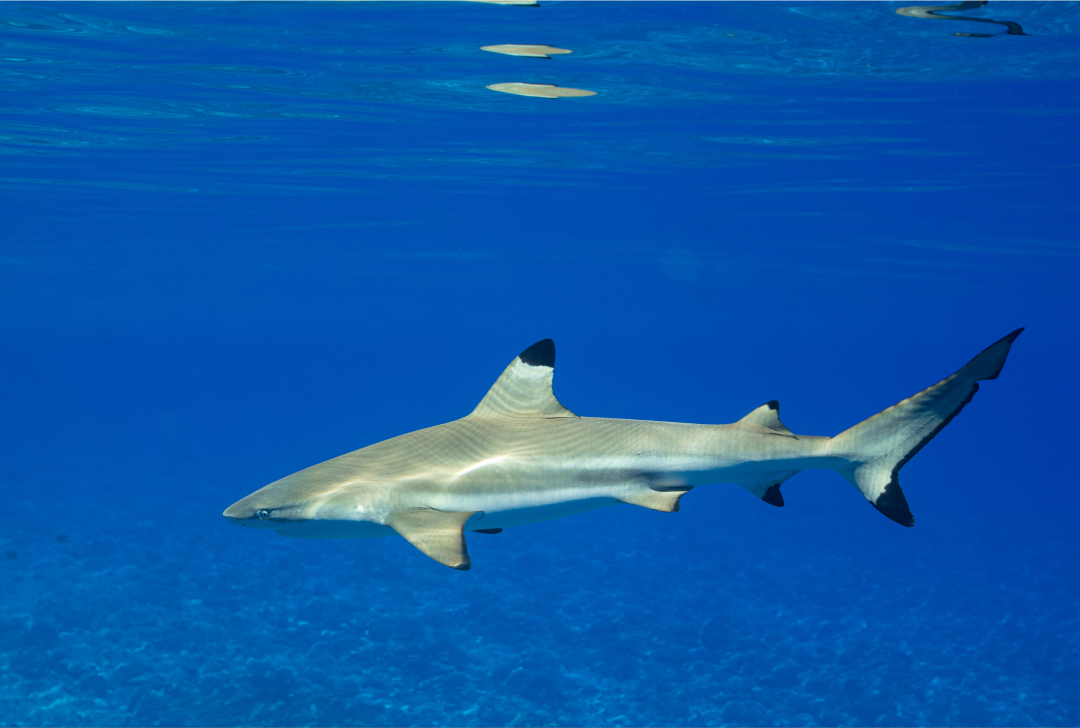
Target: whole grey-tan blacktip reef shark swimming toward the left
(522, 457)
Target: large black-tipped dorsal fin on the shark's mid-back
(524, 389)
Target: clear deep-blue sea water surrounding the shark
(240, 239)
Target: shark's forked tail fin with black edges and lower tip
(879, 448)
